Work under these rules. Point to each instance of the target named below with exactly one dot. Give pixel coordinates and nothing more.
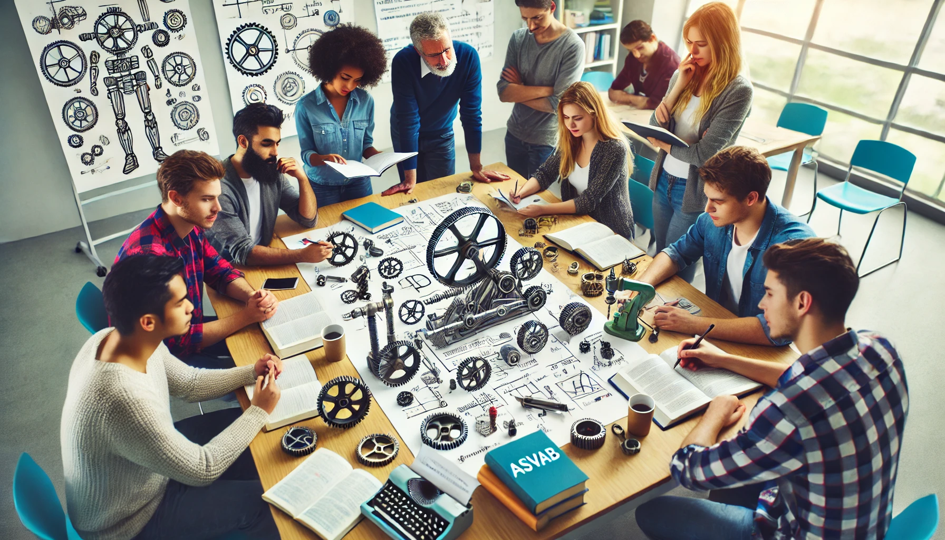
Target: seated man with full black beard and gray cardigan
(255, 187)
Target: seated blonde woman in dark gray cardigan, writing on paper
(591, 158)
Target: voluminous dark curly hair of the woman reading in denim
(348, 45)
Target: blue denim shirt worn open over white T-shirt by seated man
(714, 244)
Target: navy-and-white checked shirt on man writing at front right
(825, 440)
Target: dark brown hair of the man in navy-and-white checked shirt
(823, 269)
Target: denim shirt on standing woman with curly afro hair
(322, 132)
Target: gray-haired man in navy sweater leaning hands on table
(428, 79)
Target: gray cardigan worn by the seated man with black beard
(230, 234)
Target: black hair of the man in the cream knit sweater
(138, 286)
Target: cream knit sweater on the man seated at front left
(119, 445)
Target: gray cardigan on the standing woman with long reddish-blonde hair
(718, 129)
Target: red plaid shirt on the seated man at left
(156, 236)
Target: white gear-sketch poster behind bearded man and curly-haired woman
(265, 47)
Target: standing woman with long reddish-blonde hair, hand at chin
(707, 103)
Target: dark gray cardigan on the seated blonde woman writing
(607, 197)
